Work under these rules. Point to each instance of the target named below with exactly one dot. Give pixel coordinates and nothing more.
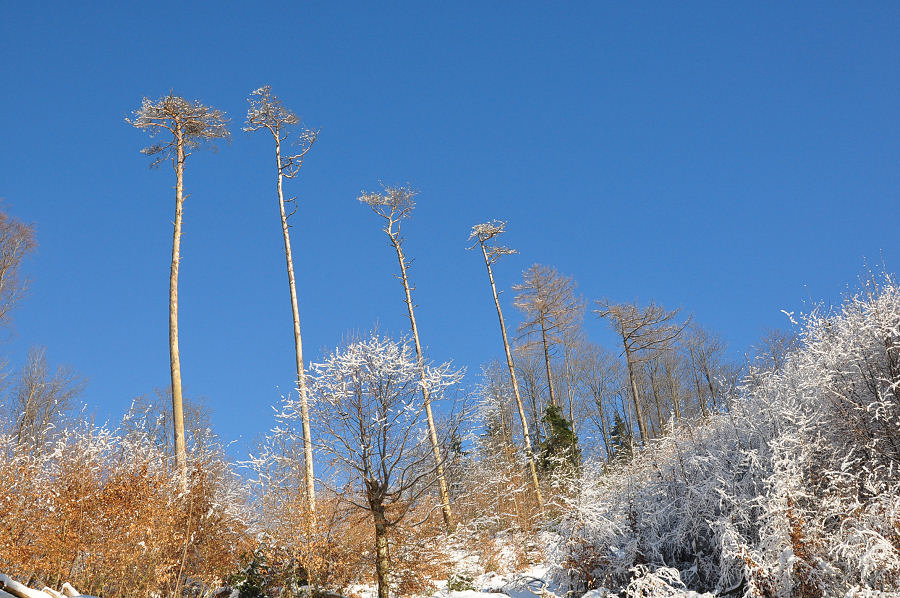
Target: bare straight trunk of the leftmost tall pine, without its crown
(174, 358)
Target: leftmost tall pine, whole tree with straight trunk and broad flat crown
(183, 126)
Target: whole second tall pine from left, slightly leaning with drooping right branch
(267, 112)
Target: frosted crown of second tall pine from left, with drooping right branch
(267, 112)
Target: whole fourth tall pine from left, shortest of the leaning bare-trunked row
(485, 235)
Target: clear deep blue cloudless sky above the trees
(732, 159)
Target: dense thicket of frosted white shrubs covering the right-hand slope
(794, 492)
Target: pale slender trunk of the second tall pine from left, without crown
(298, 346)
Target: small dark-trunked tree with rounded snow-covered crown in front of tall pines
(368, 401)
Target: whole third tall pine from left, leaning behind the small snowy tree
(395, 205)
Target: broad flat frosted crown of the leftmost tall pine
(199, 125)
